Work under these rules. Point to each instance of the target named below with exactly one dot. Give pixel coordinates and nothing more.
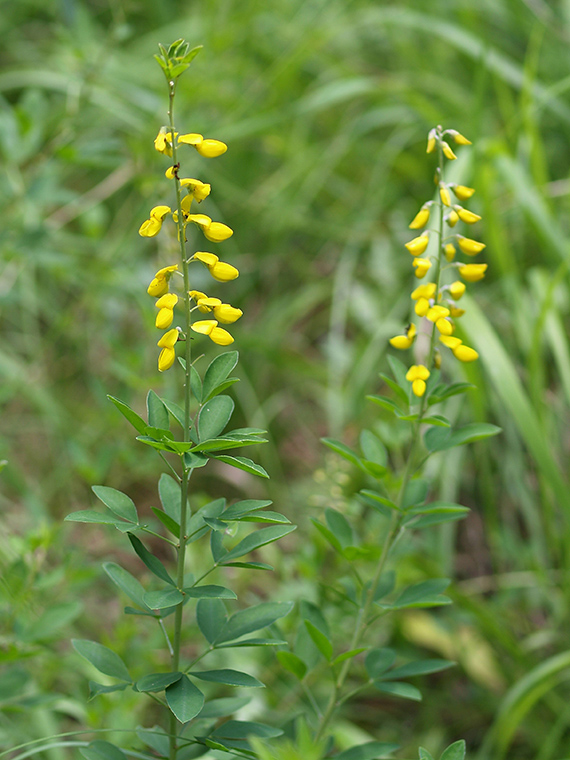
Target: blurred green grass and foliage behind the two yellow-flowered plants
(325, 105)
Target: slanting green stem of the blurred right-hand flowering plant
(364, 619)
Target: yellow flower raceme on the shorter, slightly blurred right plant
(435, 303)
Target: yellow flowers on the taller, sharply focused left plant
(216, 232)
